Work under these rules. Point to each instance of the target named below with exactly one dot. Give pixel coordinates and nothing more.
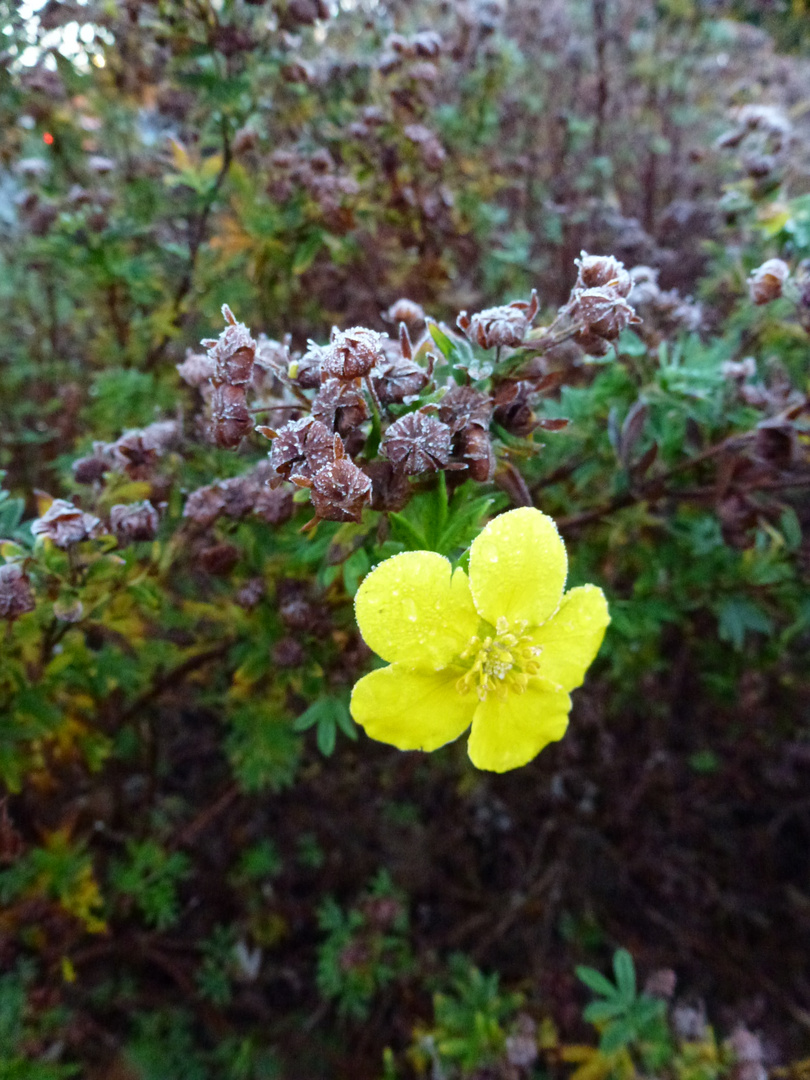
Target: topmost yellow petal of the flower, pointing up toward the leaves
(518, 568)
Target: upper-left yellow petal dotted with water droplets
(413, 610)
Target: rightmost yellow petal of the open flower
(572, 638)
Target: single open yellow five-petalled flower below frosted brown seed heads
(499, 650)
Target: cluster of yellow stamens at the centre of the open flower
(502, 663)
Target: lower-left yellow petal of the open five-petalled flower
(413, 710)
